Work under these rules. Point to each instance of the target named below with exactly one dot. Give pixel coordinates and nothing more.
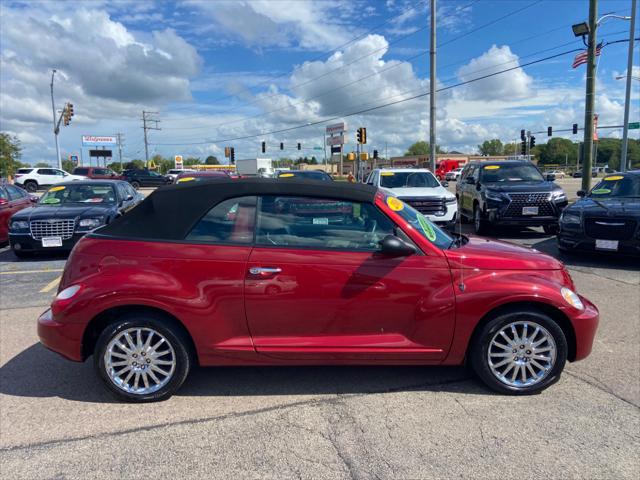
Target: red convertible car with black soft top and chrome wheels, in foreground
(184, 279)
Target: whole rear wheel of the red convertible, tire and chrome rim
(141, 358)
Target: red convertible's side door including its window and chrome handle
(317, 289)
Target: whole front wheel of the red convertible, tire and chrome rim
(519, 353)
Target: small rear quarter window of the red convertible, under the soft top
(231, 221)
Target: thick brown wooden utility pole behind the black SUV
(590, 96)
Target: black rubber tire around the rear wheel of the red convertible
(174, 337)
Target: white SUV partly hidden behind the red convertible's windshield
(419, 188)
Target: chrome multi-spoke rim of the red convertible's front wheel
(521, 354)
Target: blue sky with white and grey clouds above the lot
(236, 73)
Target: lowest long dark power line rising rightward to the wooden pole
(370, 109)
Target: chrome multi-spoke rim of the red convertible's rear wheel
(139, 360)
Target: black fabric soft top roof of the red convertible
(170, 212)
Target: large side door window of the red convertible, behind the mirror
(319, 223)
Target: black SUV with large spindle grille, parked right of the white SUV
(510, 192)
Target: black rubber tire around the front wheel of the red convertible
(479, 352)
